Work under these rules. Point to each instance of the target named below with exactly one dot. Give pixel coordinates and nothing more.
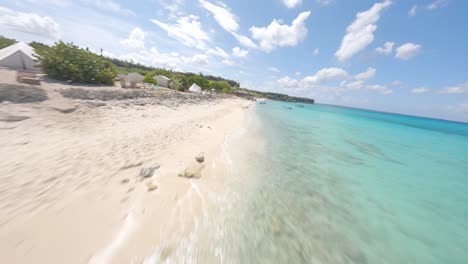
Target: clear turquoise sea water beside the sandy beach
(341, 185)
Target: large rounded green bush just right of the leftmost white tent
(65, 61)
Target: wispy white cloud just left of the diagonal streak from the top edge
(188, 30)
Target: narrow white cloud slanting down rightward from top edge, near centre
(228, 21)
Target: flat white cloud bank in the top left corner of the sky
(30, 23)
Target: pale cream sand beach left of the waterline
(69, 185)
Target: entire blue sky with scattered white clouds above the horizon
(403, 56)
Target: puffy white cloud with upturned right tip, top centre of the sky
(279, 35)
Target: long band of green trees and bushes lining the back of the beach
(65, 61)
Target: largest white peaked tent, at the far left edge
(19, 56)
